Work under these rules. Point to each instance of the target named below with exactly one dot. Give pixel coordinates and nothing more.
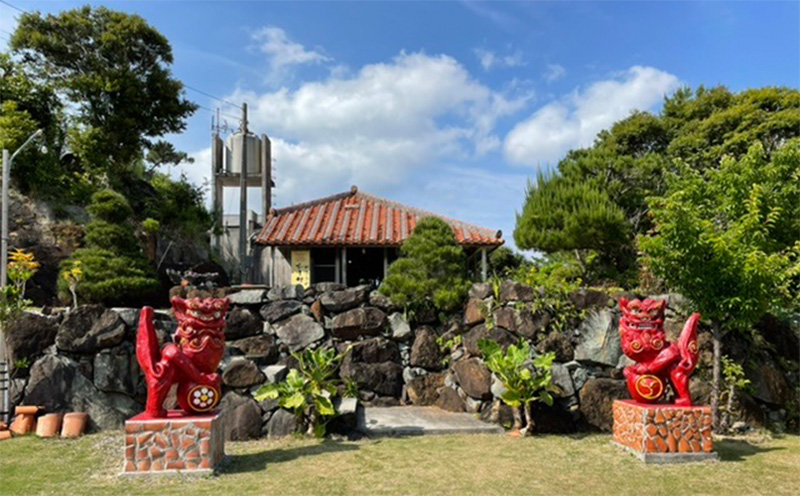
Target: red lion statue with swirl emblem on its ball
(658, 361)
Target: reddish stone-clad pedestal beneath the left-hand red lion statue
(179, 443)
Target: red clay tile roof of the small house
(355, 218)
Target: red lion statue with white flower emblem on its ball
(190, 362)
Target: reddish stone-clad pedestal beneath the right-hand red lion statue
(660, 433)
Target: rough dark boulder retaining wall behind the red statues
(85, 360)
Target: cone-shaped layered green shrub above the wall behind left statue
(114, 269)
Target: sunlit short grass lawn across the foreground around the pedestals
(458, 464)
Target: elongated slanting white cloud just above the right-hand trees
(574, 122)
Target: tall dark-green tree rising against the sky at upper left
(114, 69)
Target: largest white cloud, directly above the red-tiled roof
(377, 127)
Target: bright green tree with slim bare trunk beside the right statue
(728, 239)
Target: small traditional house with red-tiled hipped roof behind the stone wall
(350, 238)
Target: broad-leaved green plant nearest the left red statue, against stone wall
(309, 389)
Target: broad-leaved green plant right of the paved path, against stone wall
(525, 380)
